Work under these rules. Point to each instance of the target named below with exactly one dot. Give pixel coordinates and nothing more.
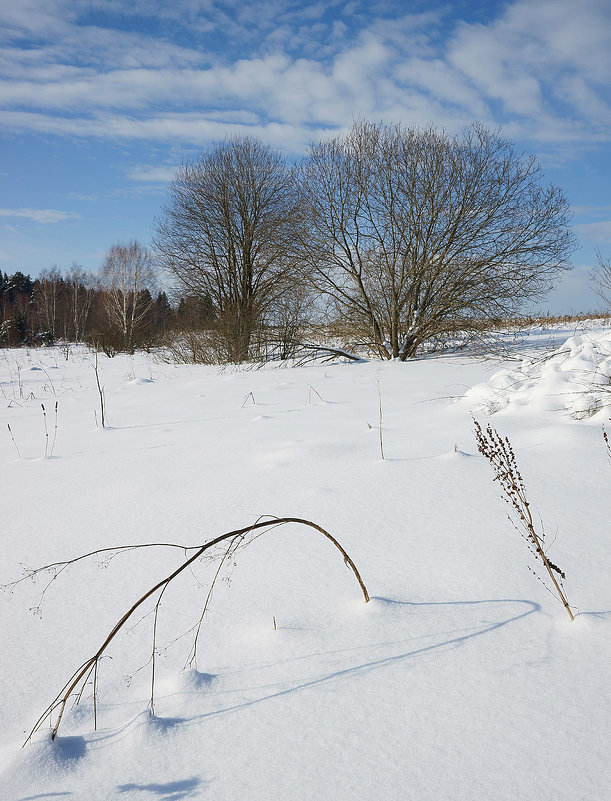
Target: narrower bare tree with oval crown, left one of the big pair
(225, 234)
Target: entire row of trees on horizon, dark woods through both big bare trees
(397, 237)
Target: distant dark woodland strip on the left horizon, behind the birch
(77, 306)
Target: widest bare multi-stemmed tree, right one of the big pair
(415, 234)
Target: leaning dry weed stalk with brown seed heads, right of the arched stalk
(499, 453)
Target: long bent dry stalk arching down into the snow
(82, 674)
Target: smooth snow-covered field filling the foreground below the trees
(461, 679)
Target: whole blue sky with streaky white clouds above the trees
(100, 100)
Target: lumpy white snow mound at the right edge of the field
(575, 379)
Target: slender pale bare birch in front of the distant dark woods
(127, 278)
